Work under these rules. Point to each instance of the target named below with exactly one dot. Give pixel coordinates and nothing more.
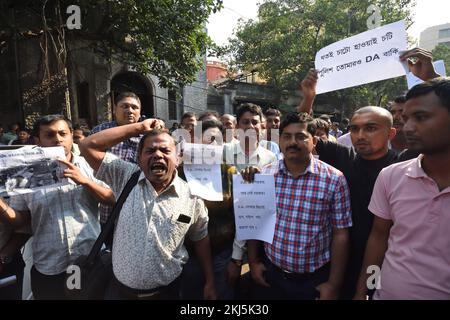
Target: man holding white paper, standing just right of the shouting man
(221, 226)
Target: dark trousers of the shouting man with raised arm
(118, 291)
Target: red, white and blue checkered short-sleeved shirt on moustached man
(307, 210)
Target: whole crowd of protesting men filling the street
(373, 190)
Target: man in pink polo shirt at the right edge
(409, 238)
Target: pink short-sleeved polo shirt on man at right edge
(417, 262)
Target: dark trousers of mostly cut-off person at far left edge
(15, 268)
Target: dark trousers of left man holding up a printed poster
(46, 287)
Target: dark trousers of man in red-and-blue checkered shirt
(290, 286)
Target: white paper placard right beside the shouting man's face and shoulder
(204, 181)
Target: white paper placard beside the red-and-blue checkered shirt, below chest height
(254, 208)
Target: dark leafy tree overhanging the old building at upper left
(163, 37)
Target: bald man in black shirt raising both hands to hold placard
(371, 129)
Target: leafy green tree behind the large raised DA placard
(281, 45)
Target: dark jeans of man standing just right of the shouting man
(193, 280)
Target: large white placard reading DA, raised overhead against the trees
(364, 58)
